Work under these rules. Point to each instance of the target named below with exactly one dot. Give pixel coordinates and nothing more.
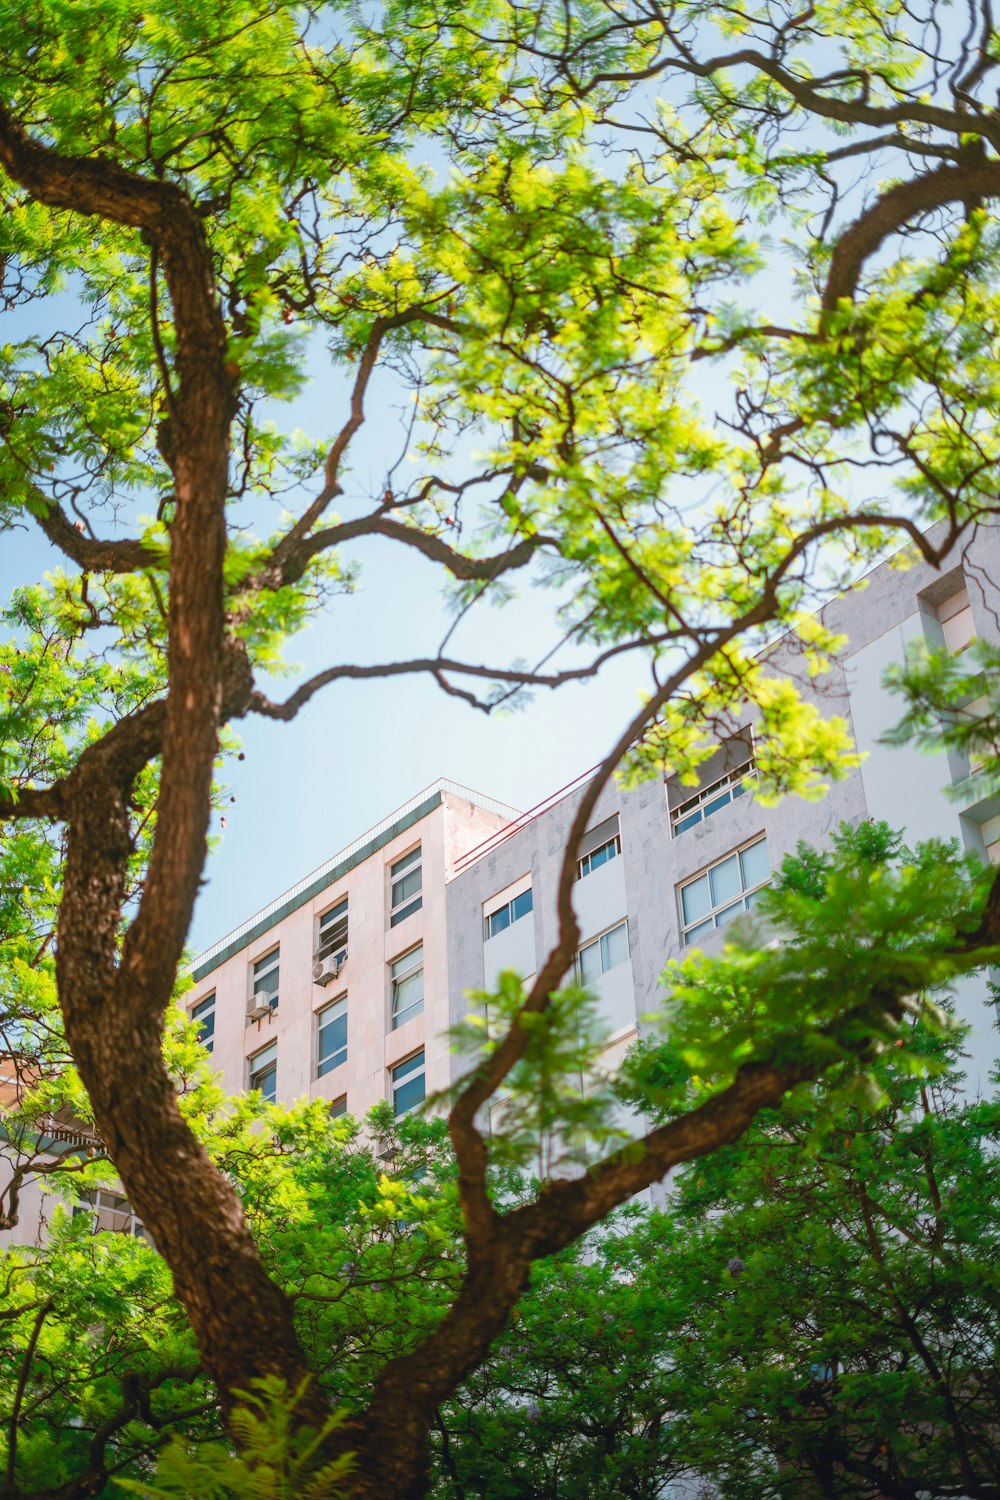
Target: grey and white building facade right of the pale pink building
(665, 866)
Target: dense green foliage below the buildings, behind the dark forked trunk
(812, 1307)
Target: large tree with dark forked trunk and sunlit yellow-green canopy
(190, 196)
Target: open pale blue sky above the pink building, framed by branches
(361, 749)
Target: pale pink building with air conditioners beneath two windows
(340, 989)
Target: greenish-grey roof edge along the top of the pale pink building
(331, 871)
